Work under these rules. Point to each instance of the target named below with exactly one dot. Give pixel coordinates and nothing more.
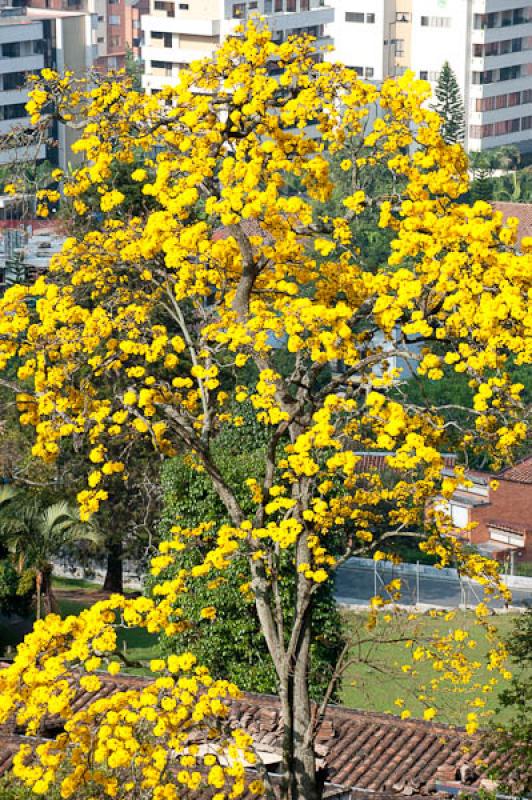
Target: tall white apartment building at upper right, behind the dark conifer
(488, 44)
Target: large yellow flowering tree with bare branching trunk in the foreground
(171, 302)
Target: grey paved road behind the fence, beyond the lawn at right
(356, 585)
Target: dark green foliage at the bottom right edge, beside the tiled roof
(512, 740)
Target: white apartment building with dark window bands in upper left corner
(31, 39)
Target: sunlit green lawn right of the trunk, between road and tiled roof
(375, 681)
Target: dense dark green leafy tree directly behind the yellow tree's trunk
(232, 644)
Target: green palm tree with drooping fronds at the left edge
(34, 534)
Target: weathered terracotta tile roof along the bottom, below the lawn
(363, 752)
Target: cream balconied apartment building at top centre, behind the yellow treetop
(177, 32)
